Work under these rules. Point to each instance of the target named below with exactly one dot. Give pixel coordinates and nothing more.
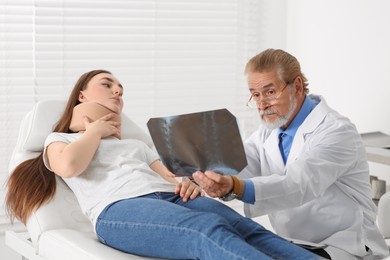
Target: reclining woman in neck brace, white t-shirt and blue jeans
(134, 203)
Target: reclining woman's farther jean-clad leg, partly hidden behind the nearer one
(255, 234)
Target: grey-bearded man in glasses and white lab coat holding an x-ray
(307, 166)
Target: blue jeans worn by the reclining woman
(162, 225)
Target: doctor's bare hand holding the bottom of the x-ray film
(214, 184)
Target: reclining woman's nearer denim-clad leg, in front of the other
(155, 227)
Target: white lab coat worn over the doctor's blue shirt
(322, 195)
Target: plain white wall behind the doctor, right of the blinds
(344, 49)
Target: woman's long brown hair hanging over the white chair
(31, 184)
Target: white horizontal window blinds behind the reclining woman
(171, 56)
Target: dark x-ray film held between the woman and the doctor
(199, 141)
